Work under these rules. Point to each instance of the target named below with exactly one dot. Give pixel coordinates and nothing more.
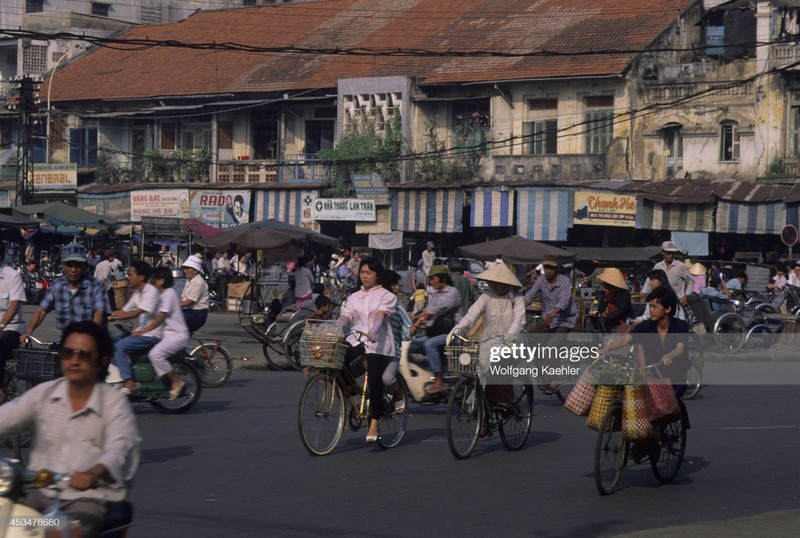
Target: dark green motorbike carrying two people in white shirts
(153, 389)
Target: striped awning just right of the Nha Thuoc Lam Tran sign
(439, 211)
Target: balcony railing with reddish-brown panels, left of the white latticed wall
(292, 169)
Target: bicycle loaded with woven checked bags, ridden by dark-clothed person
(664, 448)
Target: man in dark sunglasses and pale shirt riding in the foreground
(82, 426)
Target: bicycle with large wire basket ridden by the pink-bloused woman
(333, 394)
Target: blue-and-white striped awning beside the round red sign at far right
(750, 218)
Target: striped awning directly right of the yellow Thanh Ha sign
(652, 215)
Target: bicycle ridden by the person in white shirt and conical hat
(470, 415)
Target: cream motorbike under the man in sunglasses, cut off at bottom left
(22, 521)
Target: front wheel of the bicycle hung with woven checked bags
(610, 451)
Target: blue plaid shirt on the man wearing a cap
(90, 297)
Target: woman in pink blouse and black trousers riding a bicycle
(366, 311)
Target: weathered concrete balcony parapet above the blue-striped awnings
(548, 167)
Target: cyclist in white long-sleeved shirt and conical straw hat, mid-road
(503, 311)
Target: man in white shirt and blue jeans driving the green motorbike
(143, 304)
